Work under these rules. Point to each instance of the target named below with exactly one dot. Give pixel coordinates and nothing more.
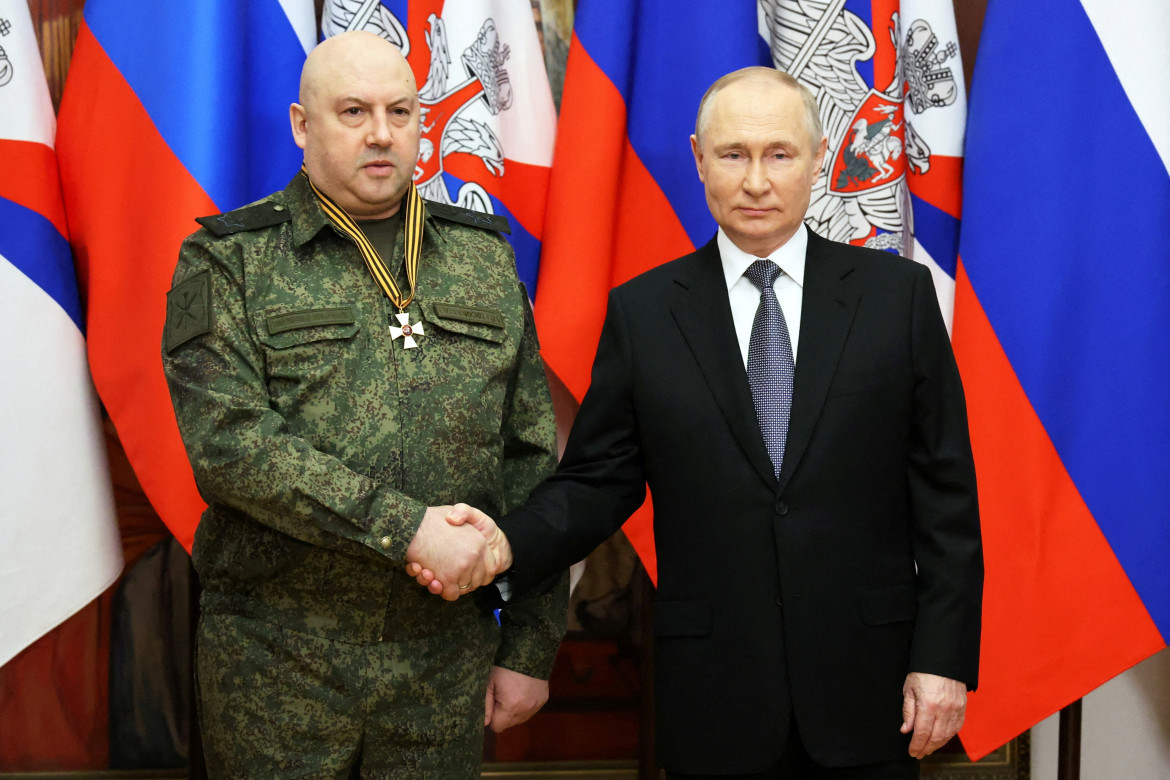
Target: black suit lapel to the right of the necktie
(827, 316)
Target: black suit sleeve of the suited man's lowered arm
(947, 542)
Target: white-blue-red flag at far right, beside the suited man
(1062, 315)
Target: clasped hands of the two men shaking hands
(457, 550)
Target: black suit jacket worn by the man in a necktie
(816, 593)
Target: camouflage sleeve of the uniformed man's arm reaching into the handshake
(244, 454)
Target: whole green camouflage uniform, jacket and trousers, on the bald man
(319, 444)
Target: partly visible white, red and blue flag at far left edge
(61, 546)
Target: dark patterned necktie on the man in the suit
(770, 365)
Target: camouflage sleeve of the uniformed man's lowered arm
(534, 623)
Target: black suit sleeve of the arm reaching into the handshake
(601, 481)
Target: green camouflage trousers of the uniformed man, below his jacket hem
(279, 703)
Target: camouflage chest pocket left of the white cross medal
(308, 343)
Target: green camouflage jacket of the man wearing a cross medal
(319, 443)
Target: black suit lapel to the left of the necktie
(700, 308)
